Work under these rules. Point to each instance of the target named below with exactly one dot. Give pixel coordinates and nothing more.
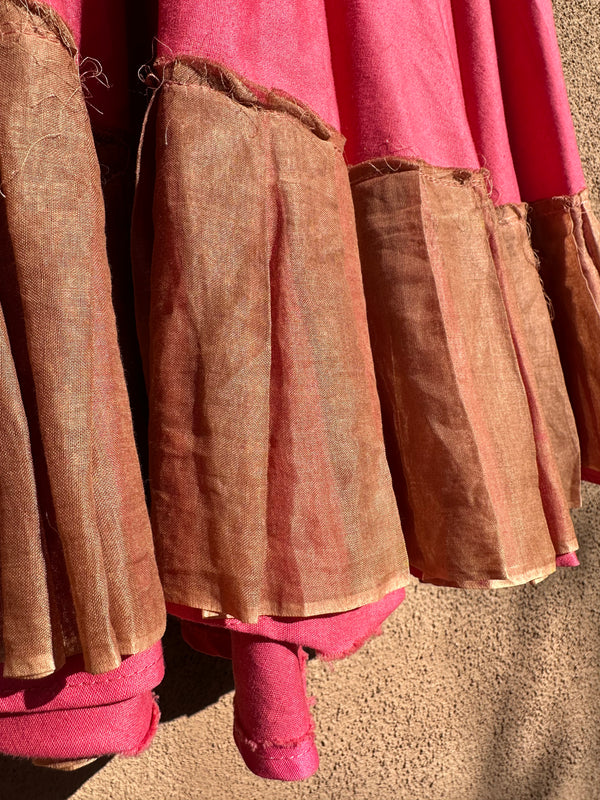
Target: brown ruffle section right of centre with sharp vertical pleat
(479, 433)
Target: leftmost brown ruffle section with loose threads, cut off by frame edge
(76, 558)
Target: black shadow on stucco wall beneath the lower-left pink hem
(192, 682)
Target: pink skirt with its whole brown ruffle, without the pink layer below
(366, 288)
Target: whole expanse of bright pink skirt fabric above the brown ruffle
(475, 83)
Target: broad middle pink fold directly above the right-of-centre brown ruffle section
(398, 81)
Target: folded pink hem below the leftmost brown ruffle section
(72, 714)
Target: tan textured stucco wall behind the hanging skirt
(490, 695)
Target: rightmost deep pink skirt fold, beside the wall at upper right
(540, 126)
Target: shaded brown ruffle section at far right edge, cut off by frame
(566, 234)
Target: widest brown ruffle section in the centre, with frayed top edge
(271, 493)
